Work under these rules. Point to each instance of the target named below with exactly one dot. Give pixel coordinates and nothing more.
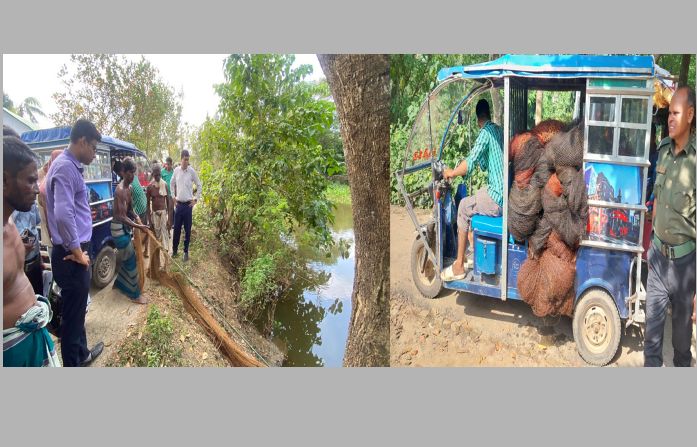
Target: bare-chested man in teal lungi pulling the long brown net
(125, 219)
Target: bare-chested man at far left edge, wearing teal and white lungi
(26, 341)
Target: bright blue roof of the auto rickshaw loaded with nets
(555, 66)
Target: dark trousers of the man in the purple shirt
(74, 281)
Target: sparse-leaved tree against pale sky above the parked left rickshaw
(124, 99)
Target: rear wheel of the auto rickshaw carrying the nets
(597, 327)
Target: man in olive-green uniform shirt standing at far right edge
(672, 254)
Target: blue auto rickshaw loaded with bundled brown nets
(614, 100)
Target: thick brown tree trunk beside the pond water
(360, 86)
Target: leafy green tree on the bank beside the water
(264, 168)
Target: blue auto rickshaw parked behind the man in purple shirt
(101, 183)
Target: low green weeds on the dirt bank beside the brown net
(154, 347)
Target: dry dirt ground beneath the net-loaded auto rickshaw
(460, 329)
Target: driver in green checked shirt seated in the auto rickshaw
(487, 152)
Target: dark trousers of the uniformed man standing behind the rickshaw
(670, 280)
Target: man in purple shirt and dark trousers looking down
(70, 225)
